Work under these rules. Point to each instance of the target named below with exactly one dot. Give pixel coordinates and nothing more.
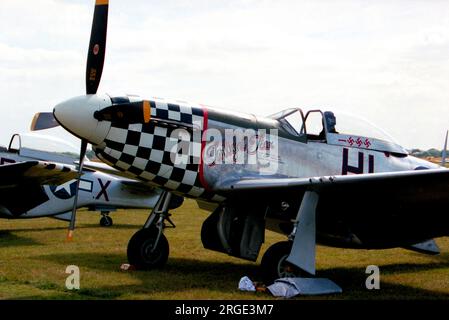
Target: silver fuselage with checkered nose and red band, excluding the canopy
(147, 151)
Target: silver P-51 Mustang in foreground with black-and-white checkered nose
(298, 174)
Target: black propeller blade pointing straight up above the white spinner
(97, 46)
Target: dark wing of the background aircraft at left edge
(38, 172)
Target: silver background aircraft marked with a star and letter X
(38, 183)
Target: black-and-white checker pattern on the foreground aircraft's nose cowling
(148, 151)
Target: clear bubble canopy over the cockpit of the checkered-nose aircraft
(337, 129)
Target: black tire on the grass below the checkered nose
(139, 247)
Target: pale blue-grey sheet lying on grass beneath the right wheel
(290, 287)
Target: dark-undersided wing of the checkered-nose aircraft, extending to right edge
(406, 207)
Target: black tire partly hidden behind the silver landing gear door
(273, 262)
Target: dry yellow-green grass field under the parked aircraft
(34, 256)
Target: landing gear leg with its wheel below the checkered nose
(148, 248)
